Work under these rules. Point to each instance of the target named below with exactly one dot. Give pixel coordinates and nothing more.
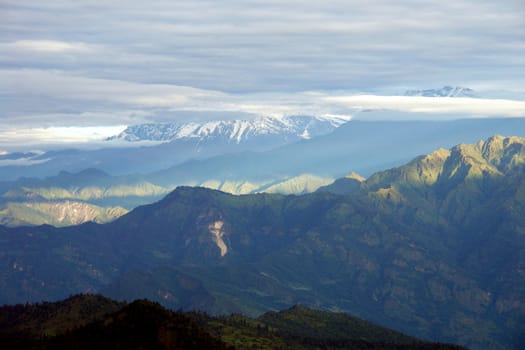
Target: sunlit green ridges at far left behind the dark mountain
(69, 199)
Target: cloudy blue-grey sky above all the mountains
(103, 65)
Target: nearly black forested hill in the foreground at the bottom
(95, 322)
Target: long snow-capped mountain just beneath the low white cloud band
(235, 131)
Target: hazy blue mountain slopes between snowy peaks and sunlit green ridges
(391, 144)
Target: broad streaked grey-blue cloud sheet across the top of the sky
(274, 46)
